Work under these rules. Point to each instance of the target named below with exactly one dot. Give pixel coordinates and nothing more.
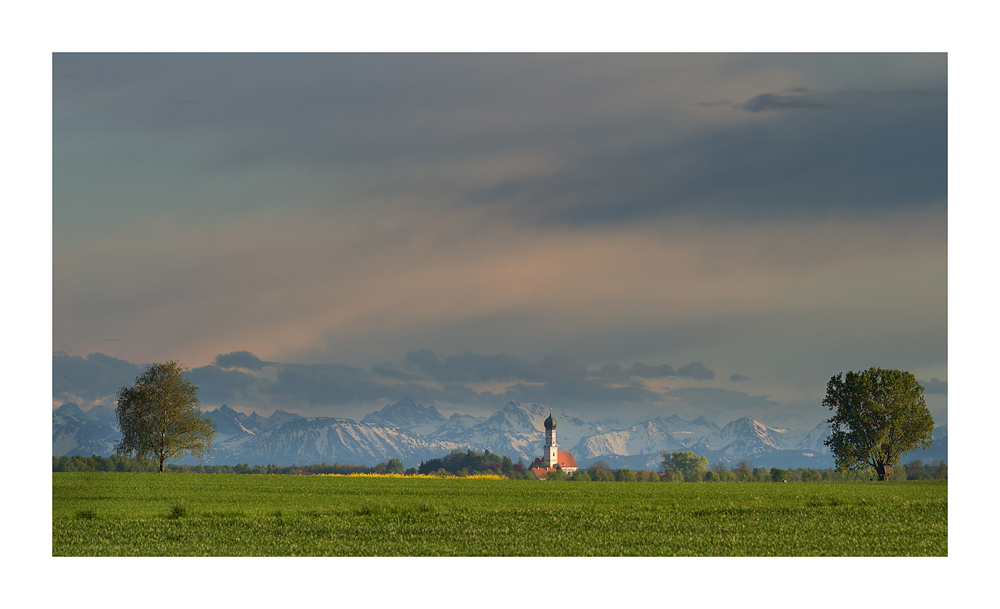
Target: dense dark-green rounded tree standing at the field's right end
(879, 415)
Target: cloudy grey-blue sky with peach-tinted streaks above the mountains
(619, 235)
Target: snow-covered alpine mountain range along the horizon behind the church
(415, 433)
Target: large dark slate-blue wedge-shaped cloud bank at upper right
(868, 157)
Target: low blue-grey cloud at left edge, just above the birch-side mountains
(90, 378)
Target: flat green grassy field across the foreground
(123, 514)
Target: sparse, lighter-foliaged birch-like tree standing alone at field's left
(160, 418)
